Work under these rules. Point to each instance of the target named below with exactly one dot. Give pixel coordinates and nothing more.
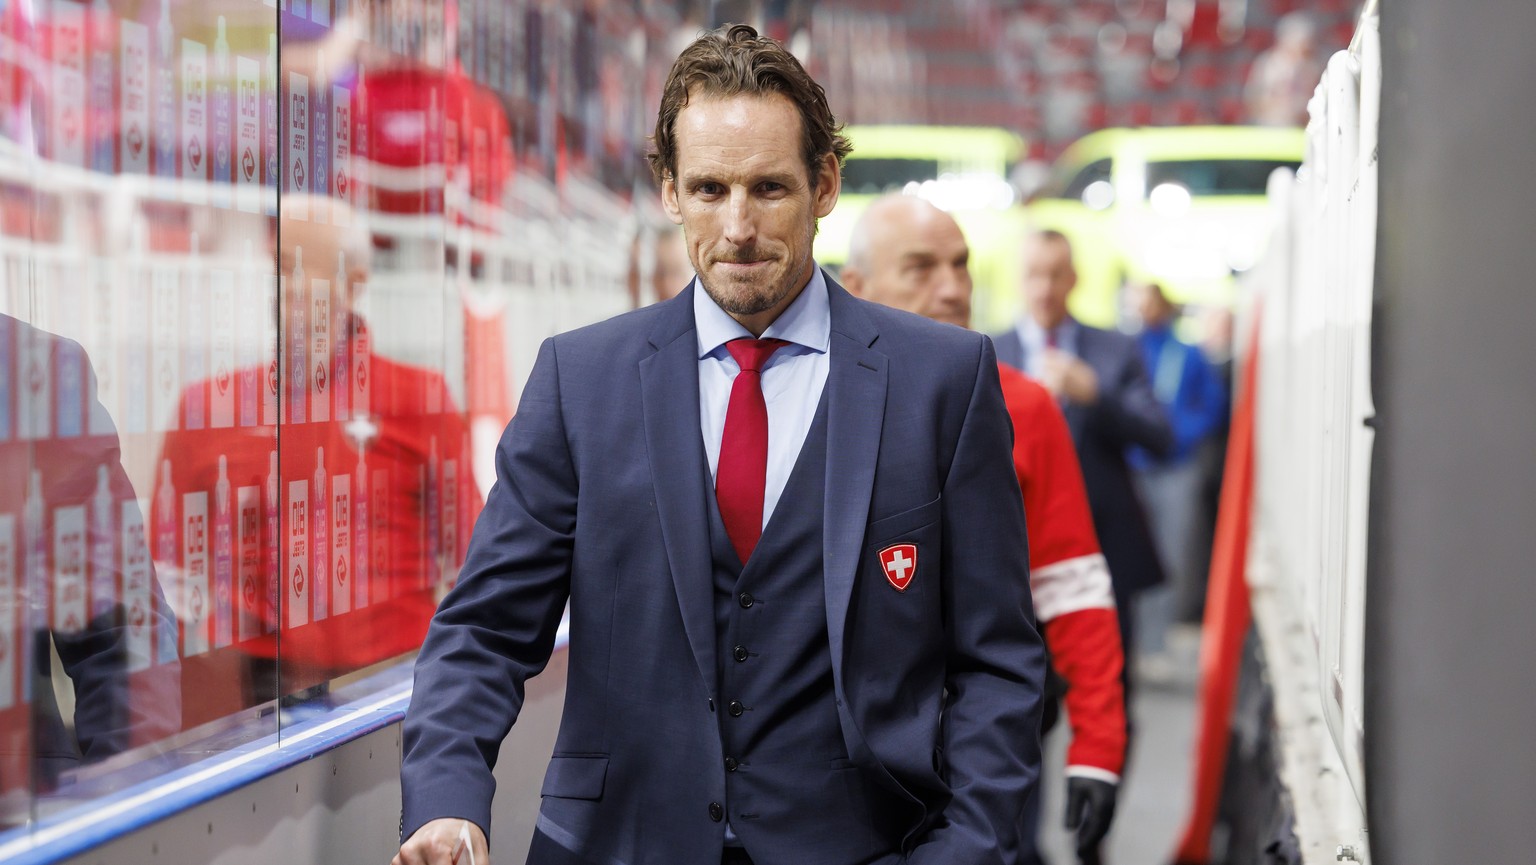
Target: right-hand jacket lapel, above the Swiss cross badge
(856, 383)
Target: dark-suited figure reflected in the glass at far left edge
(78, 591)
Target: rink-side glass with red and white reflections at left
(271, 277)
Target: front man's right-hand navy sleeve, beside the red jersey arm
(995, 657)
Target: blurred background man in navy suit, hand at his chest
(1107, 396)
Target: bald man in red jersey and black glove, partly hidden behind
(912, 256)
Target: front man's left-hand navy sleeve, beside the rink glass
(497, 628)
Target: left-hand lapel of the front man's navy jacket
(680, 476)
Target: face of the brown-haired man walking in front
(746, 202)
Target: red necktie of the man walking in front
(743, 472)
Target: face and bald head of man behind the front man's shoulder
(919, 262)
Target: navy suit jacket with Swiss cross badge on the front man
(601, 500)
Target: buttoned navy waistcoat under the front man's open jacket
(792, 792)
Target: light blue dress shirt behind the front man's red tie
(793, 379)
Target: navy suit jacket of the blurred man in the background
(1127, 414)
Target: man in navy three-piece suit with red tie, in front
(789, 534)
